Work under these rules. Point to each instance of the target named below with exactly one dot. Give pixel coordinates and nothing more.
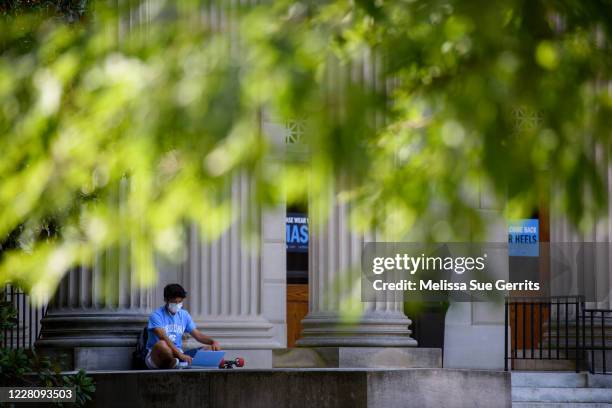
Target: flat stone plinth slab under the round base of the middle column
(357, 357)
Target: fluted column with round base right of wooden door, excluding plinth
(336, 316)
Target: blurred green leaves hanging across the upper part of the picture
(120, 125)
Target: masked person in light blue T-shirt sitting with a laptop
(166, 327)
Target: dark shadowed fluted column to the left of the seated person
(97, 312)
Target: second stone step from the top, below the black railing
(561, 395)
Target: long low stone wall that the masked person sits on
(354, 388)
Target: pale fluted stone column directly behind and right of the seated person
(236, 289)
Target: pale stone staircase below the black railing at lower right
(561, 390)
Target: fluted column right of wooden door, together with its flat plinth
(340, 330)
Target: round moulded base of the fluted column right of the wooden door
(374, 329)
